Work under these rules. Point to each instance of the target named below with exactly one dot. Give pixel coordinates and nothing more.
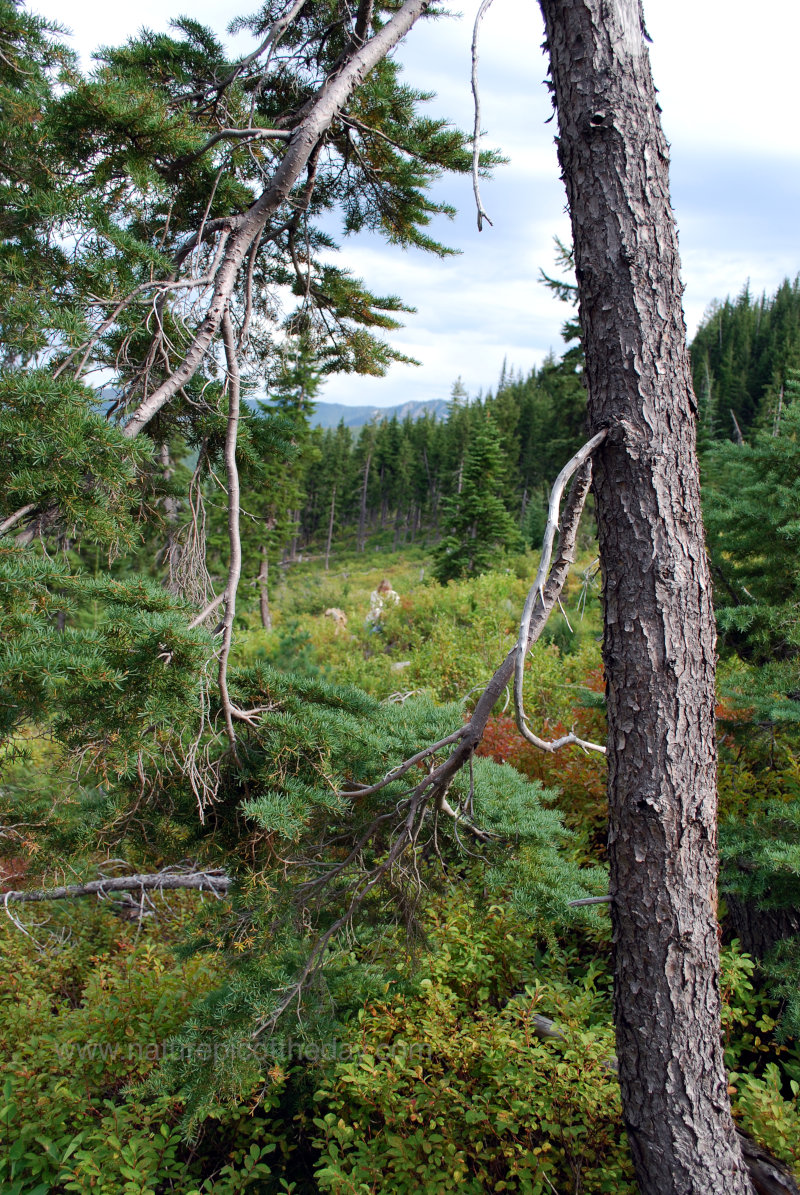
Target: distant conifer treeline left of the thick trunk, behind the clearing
(393, 477)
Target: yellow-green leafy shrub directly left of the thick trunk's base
(453, 1089)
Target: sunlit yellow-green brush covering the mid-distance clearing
(447, 641)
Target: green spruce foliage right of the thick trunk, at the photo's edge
(753, 504)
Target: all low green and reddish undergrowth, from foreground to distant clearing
(439, 1081)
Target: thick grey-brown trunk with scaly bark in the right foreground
(659, 646)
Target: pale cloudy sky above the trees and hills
(726, 72)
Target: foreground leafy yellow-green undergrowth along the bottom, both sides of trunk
(442, 1083)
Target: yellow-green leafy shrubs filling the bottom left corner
(88, 1004)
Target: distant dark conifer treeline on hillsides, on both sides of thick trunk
(387, 482)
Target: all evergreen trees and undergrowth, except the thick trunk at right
(290, 905)
